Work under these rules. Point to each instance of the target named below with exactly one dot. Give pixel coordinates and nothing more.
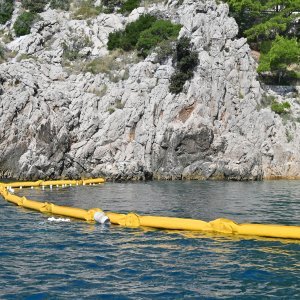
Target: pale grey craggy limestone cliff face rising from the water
(57, 124)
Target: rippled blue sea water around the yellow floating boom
(42, 259)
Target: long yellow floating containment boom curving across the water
(223, 226)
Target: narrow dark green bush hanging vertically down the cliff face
(186, 61)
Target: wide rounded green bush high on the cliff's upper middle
(143, 35)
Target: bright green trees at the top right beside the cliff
(272, 27)
